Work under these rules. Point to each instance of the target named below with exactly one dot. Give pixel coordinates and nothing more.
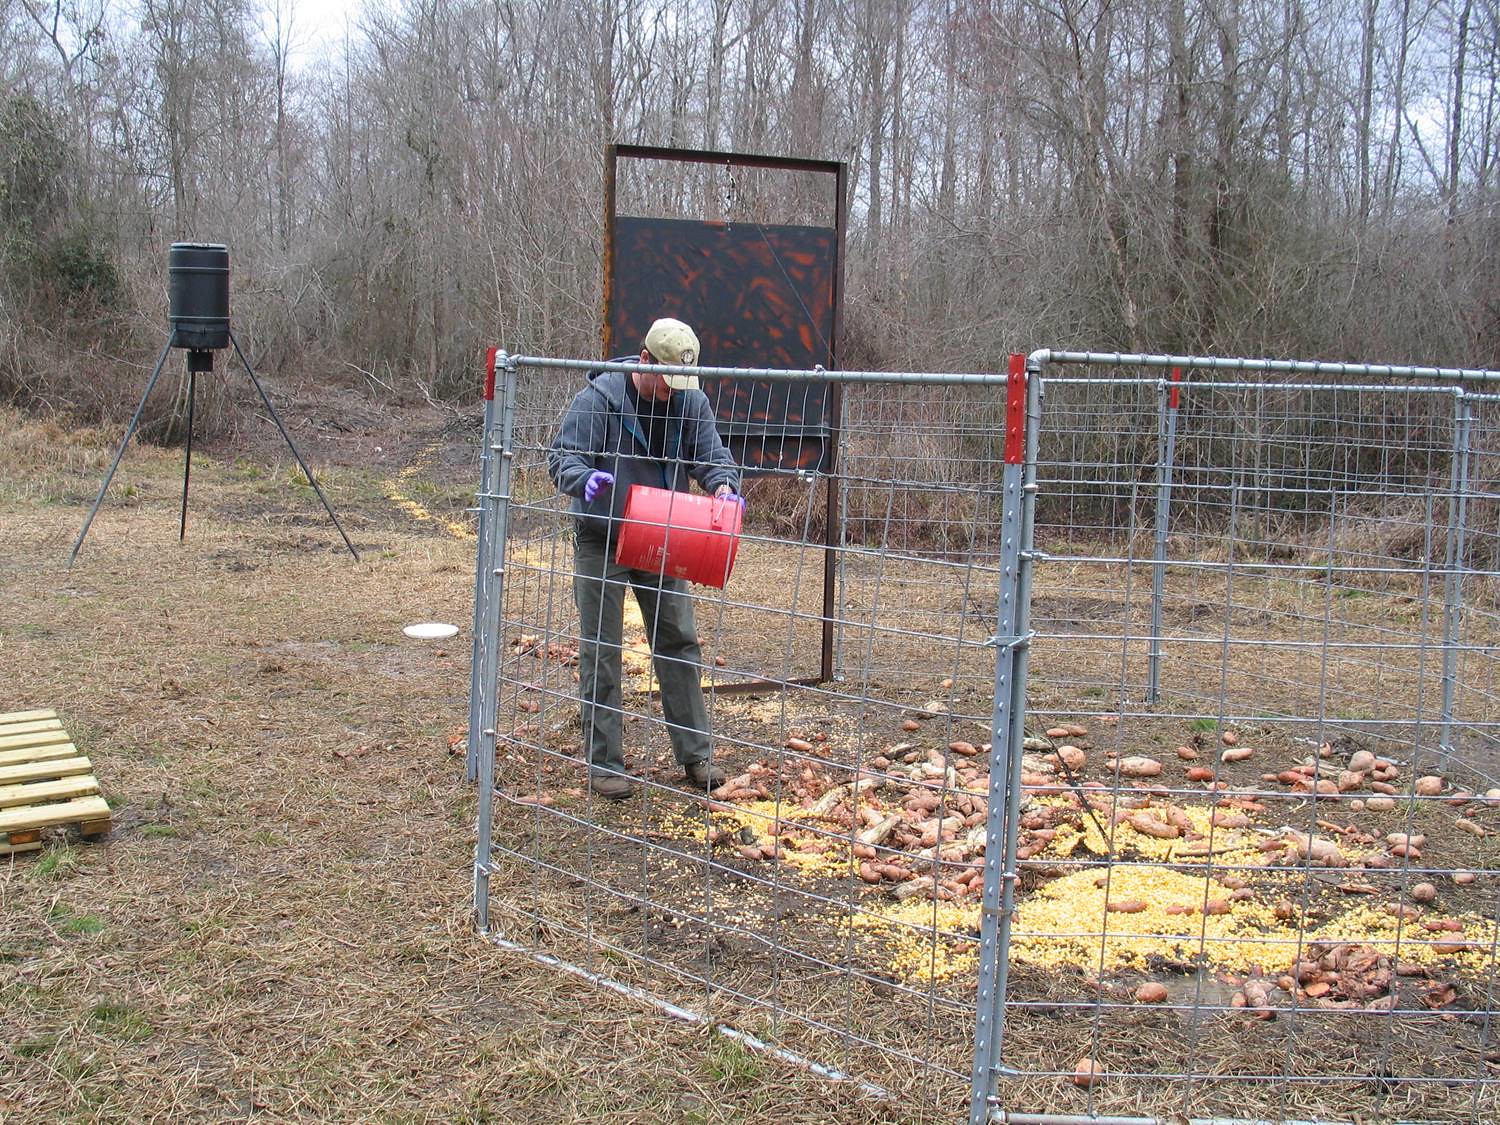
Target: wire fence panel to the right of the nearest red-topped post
(1255, 865)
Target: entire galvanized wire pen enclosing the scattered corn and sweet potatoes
(1154, 781)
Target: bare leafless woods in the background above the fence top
(1270, 176)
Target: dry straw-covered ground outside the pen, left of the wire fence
(280, 925)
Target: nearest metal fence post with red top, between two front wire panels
(1007, 728)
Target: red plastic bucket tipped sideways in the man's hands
(680, 535)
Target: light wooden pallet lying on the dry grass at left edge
(44, 782)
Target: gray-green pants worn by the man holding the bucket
(599, 589)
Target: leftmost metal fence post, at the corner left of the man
(497, 499)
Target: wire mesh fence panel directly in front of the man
(814, 899)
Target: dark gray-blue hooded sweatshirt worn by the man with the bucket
(601, 431)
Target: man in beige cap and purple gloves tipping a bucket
(638, 428)
